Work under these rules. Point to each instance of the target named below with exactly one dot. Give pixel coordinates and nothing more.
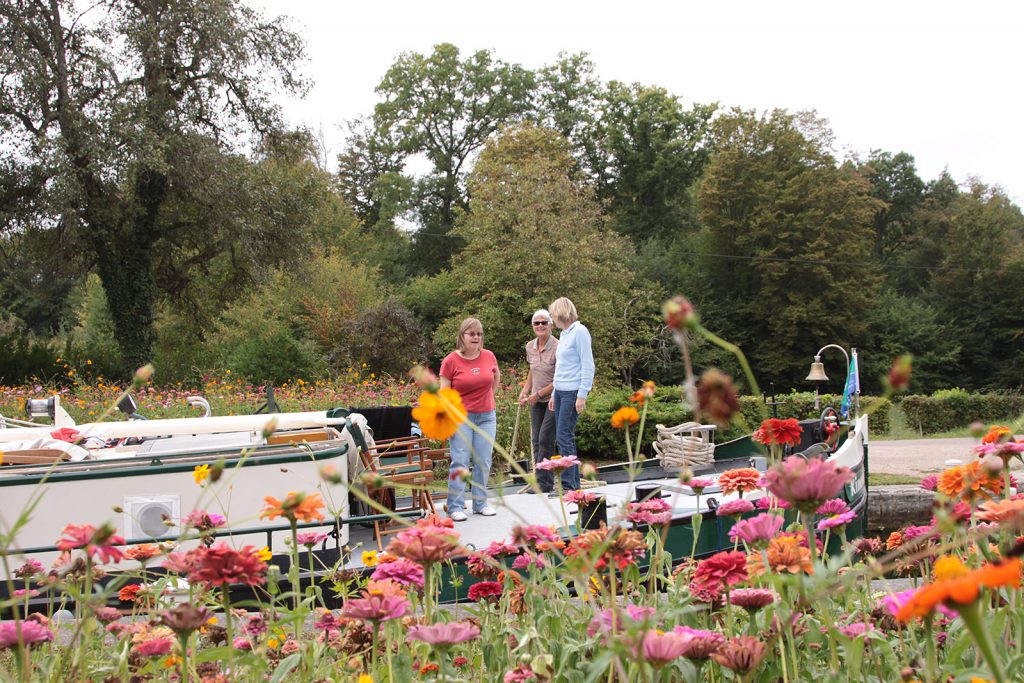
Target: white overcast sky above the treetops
(941, 80)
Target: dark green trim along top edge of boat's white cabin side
(160, 465)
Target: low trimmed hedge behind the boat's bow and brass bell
(596, 438)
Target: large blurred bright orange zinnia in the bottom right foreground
(958, 587)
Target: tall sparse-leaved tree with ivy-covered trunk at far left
(105, 107)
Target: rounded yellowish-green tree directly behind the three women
(535, 233)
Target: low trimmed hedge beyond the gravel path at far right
(957, 409)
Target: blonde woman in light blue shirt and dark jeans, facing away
(574, 380)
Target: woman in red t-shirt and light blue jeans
(473, 371)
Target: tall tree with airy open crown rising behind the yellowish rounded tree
(446, 108)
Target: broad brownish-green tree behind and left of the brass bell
(789, 231)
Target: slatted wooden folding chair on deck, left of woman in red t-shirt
(402, 464)
